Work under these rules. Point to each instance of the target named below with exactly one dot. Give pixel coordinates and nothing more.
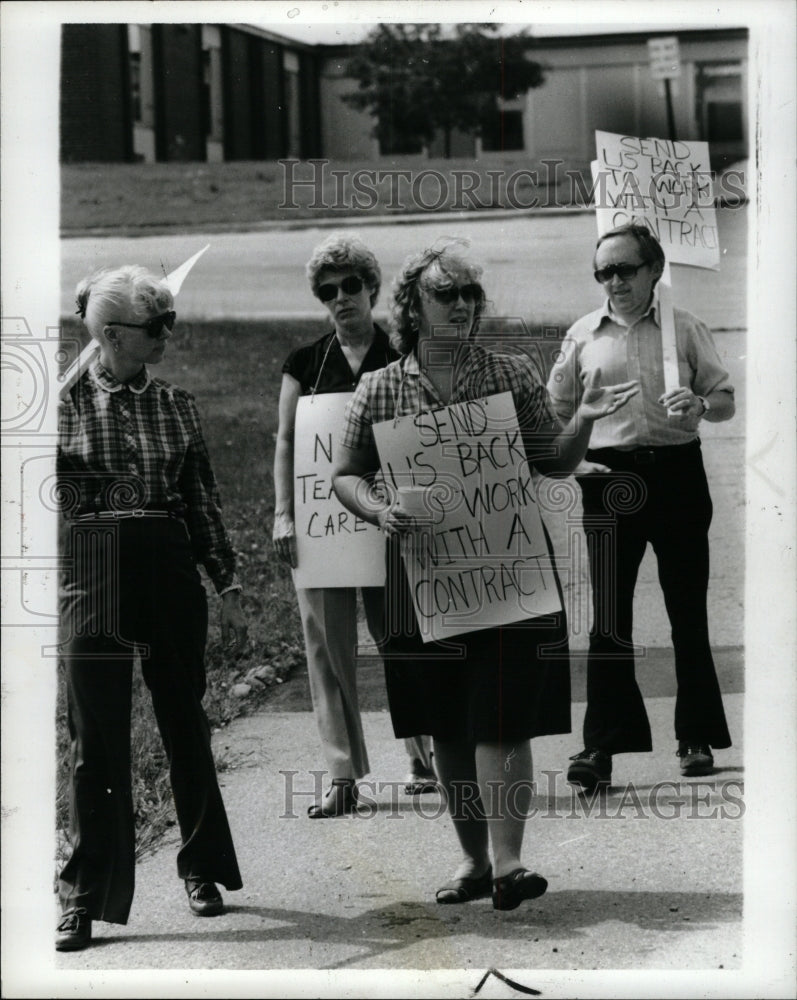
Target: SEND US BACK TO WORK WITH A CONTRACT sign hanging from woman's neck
(480, 557)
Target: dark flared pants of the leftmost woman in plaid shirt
(132, 586)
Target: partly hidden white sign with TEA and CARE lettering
(334, 547)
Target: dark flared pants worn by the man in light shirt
(656, 495)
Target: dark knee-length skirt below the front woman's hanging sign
(500, 684)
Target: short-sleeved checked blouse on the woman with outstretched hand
(402, 389)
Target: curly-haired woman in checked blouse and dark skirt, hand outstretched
(483, 704)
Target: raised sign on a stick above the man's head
(665, 184)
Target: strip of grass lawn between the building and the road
(151, 196)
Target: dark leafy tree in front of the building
(415, 81)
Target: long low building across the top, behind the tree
(220, 92)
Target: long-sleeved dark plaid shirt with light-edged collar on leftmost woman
(139, 444)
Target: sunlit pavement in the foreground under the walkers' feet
(651, 880)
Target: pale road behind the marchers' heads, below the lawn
(536, 267)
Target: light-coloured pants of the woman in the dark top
(329, 621)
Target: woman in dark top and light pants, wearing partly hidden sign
(345, 276)
